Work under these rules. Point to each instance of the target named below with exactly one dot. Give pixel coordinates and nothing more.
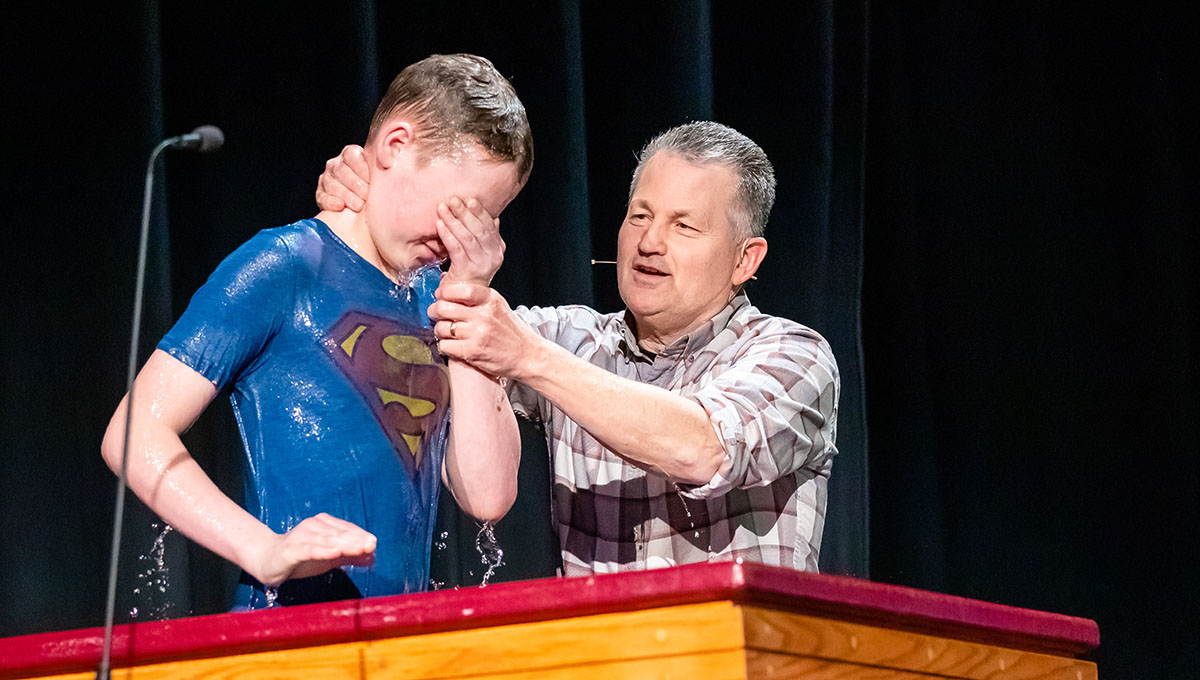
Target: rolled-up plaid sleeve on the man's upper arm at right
(775, 410)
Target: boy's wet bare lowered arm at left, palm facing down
(169, 398)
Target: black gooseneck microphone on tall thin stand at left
(205, 140)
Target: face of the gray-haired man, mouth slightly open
(676, 251)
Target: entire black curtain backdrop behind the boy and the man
(1004, 200)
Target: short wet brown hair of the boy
(449, 98)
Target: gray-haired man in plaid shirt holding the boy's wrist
(692, 428)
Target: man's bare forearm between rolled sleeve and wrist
(650, 426)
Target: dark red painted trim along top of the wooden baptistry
(832, 597)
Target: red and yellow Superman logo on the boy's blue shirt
(399, 377)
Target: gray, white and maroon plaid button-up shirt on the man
(771, 390)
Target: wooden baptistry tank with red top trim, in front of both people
(706, 622)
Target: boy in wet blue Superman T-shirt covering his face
(340, 395)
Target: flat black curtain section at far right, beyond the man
(1029, 318)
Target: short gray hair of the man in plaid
(706, 142)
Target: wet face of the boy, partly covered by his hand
(403, 208)
